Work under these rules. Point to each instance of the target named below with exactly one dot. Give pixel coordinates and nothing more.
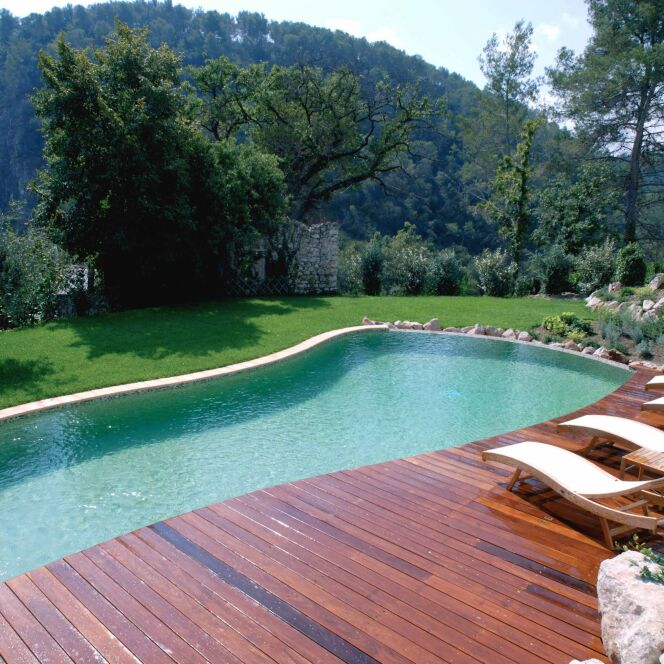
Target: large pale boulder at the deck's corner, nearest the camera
(632, 611)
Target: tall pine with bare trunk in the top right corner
(614, 94)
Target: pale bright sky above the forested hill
(447, 33)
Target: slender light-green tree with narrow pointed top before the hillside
(511, 198)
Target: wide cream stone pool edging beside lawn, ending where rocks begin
(32, 407)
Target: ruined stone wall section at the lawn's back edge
(315, 269)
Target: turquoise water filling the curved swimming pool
(74, 477)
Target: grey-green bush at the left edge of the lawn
(32, 273)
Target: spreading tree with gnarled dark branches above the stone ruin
(328, 131)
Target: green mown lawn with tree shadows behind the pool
(84, 353)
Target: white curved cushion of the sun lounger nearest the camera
(567, 469)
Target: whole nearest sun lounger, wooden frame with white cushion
(582, 482)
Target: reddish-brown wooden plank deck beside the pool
(427, 559)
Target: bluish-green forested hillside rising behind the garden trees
(444, 177)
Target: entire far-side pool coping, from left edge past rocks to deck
(13, 412)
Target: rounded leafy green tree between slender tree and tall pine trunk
(574, 215)
